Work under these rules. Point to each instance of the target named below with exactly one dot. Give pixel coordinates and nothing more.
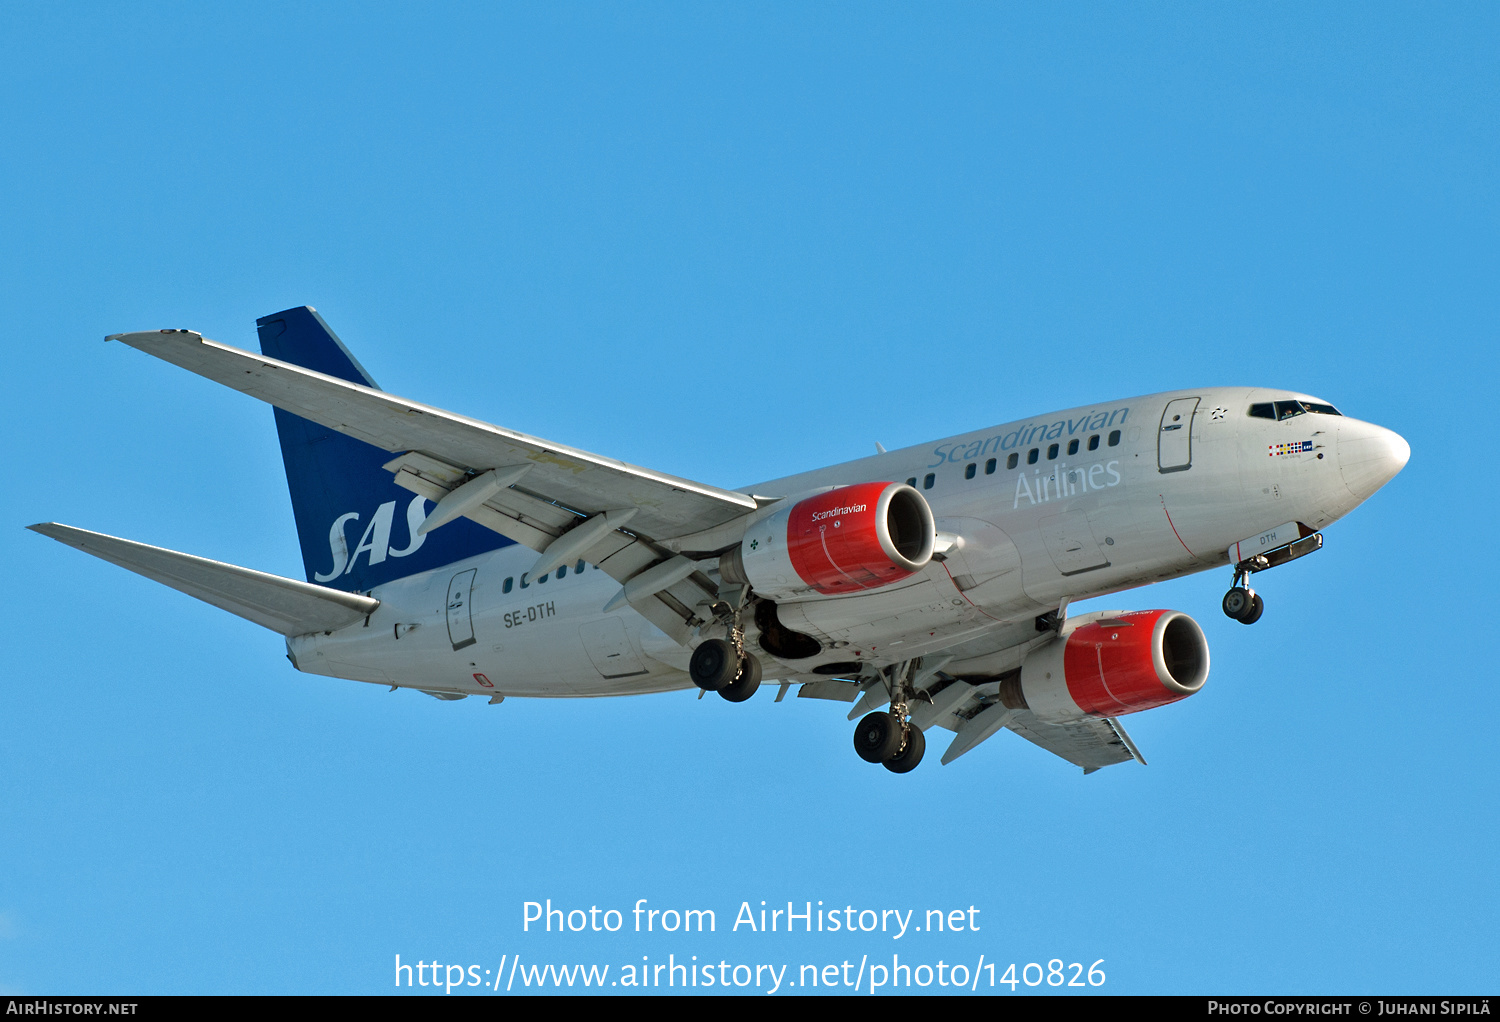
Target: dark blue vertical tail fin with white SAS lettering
(358, 528)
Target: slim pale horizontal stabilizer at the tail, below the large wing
(280, 604)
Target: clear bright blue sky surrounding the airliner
(734, 244)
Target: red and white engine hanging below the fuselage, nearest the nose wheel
(1112, 664)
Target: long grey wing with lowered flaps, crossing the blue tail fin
(526, 488)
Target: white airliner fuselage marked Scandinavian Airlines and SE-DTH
(1120, 496)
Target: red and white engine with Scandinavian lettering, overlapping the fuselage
(842, 541)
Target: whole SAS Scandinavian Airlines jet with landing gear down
(928, 586)
